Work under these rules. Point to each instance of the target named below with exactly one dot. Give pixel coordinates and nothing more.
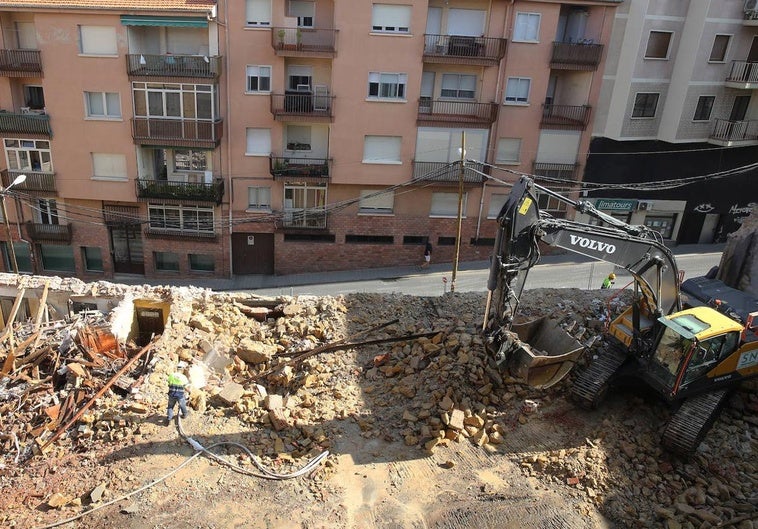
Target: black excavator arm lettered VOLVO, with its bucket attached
(521, 229)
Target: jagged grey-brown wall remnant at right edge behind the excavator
(739, 262)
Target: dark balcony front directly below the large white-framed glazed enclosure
(177, 132)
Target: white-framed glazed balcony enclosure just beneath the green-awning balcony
(171, 100)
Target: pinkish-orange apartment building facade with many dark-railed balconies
(280, 136)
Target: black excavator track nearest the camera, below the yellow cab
(688, 426)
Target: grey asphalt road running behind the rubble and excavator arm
(551, 273)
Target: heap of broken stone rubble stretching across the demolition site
(292, 372)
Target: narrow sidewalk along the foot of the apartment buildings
(255, 282)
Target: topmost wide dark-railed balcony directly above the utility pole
(455, 49)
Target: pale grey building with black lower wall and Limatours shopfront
(677, 104)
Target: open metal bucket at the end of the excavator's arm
(541, 352)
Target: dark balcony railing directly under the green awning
(197, 66)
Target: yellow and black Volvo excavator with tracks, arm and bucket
(691, 357)
